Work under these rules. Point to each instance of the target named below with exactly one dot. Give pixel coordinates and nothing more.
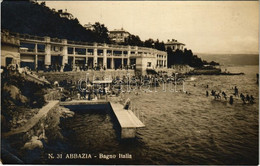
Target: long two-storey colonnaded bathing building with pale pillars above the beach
(45, 53)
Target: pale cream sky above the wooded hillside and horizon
(203, 26)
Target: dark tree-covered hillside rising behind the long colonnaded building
(37, 19)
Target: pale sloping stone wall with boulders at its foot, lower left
(15, 147)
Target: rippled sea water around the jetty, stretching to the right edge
(180, 128)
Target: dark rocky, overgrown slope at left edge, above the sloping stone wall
(21, 98)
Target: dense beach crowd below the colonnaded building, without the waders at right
(94, 91)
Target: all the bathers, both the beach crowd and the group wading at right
(91, 91)
